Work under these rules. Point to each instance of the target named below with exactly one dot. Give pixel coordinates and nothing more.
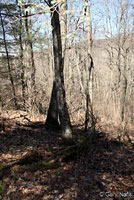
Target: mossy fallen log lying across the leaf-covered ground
(33, 161)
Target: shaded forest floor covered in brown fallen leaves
(105, 170)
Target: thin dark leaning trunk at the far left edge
(8, 64)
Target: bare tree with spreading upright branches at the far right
(118, 34)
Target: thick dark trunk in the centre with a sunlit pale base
(59, 77)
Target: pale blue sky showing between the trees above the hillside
(100, 12)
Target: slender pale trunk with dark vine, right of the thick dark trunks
(89, 66)
